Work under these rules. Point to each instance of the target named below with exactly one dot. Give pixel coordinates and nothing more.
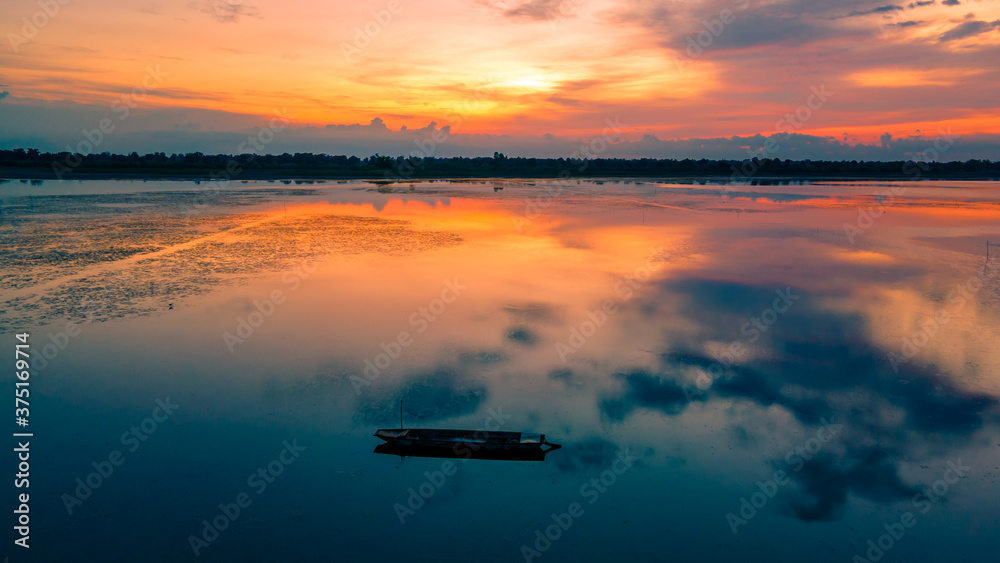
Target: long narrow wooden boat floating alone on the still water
(467, 444)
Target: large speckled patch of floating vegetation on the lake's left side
(98, 257)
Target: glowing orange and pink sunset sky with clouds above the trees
(522, 76)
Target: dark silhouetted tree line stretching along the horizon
(28, 161)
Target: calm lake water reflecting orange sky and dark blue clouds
(775, 372)
